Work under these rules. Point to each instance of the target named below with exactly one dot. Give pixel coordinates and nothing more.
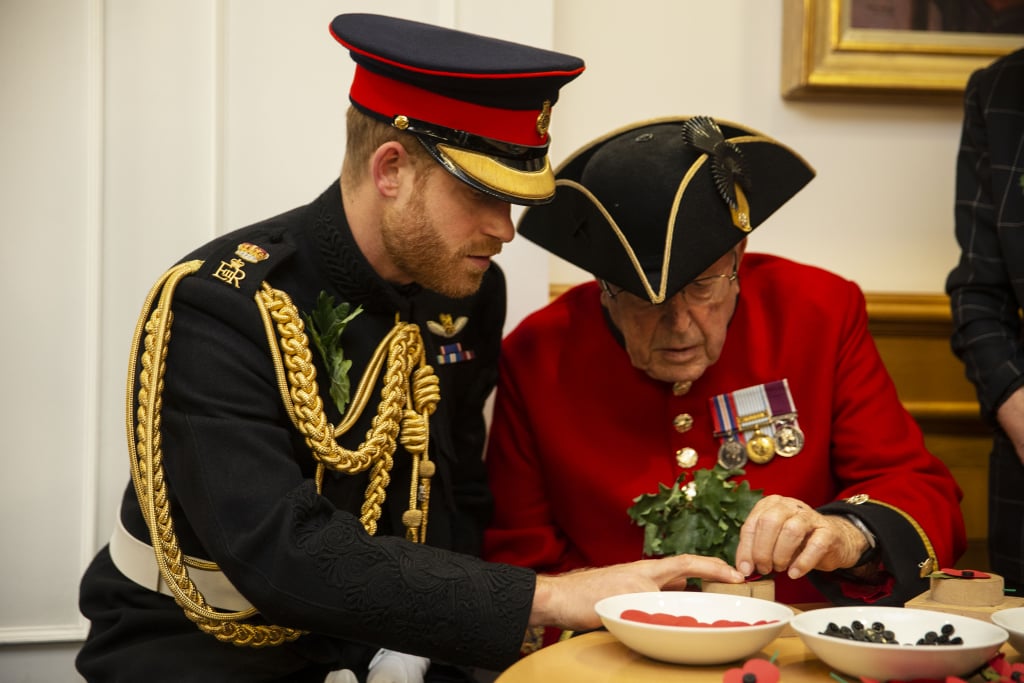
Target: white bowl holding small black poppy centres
(906, 661)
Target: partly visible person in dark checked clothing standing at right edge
(987, 289)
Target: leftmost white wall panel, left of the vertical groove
(51, 348)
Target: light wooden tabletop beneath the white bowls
(599, 657)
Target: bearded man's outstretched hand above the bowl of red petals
(568, 601)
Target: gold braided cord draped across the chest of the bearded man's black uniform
(409, 397)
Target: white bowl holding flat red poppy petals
(699, 645)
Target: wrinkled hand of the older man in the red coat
(787, 535)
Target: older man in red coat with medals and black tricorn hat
(688, 353)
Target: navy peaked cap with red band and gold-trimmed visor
(482, 107)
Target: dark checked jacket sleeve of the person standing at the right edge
(987, 288)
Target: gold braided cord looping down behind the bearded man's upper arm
(148, 476)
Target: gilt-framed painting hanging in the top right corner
(909, 50)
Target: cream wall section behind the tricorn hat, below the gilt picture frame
(880, 211)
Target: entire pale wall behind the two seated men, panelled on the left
(135, 130)
